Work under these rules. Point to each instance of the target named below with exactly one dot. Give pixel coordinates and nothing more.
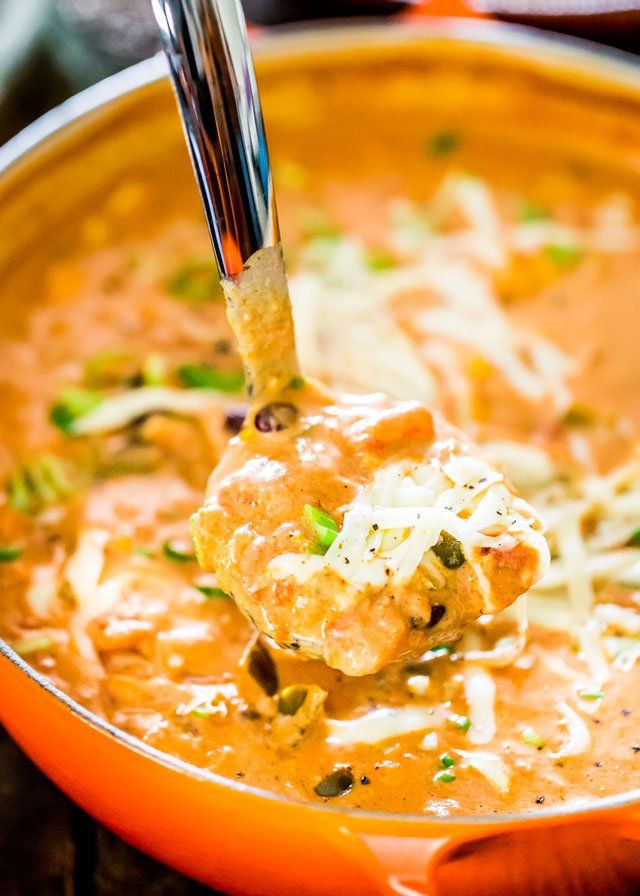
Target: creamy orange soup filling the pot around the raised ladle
(505, 295)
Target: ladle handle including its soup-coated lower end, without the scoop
(210, 62)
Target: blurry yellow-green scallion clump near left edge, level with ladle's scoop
(38, 483)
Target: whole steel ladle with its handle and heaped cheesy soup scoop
(357, 529)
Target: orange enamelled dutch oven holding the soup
(230, 836)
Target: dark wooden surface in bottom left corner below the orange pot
(49, 847)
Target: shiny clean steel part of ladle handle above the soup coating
(207, 48)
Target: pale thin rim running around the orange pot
(609, 64)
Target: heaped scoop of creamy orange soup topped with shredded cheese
(363, 530)
